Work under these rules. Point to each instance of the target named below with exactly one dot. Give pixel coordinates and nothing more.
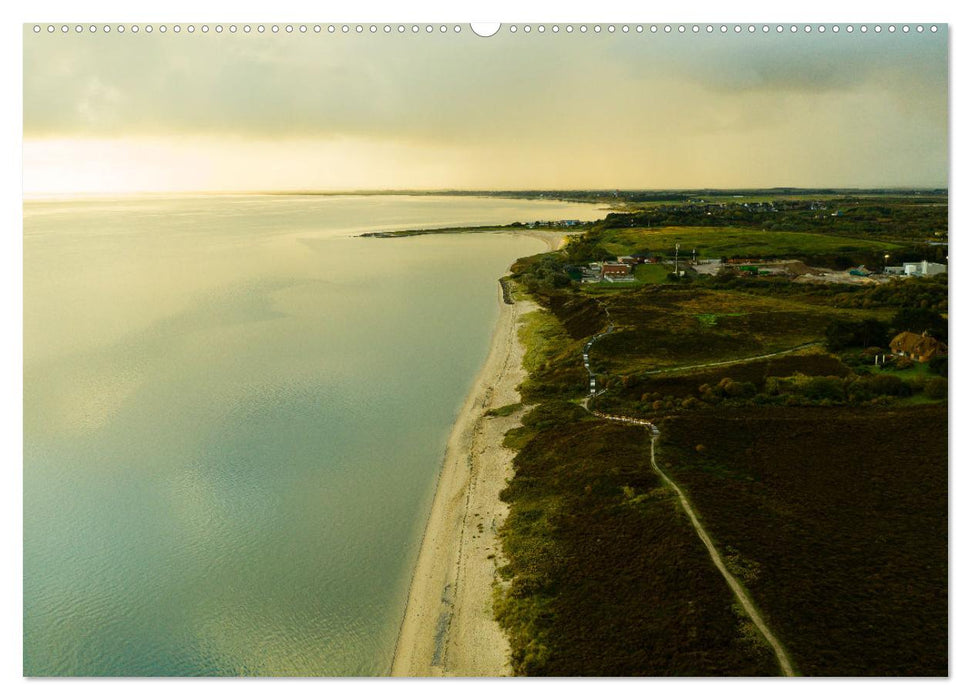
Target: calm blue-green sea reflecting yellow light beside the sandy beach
(234, 416)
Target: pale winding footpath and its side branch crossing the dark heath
(741, 595)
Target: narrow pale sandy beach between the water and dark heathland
(448, 628)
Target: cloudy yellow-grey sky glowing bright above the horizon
(234, 111)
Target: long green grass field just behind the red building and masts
(718, 242)
